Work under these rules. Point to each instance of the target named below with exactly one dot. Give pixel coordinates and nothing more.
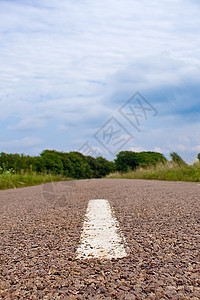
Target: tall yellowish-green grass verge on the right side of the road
(168, 171)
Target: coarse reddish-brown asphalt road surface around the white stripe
(41, 229)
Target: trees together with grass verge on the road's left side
(19, 170)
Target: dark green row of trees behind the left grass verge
(72, 164)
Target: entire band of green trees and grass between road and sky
(19, 170)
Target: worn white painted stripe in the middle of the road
(100, 236)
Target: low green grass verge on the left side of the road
(10, 181)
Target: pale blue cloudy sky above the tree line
(100, 77)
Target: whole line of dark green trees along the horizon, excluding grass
(76, 165)
